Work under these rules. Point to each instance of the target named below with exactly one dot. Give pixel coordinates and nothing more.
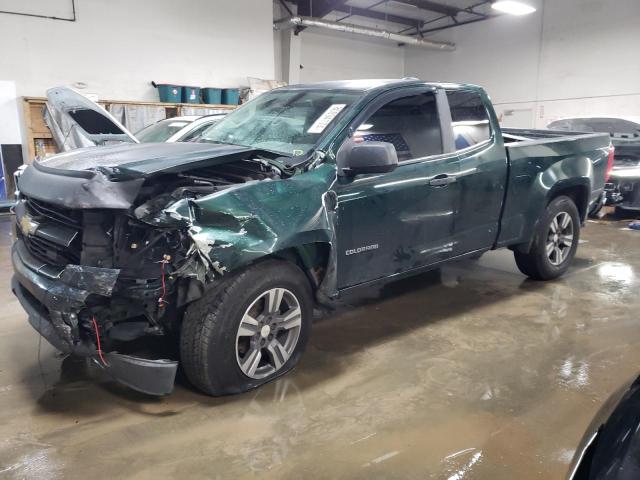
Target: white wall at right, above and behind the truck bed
(574, 57)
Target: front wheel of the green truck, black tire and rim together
(221, 358)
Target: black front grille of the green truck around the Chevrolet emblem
(47, 250)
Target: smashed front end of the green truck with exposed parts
(104, 257)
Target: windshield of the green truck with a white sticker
(289, 122)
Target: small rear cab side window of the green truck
(469, 119)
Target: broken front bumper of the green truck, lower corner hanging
(52, 296)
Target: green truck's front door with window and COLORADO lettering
(402, 220)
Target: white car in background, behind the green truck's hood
(177, 129)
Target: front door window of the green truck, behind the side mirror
(411, 124)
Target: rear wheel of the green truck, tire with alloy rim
(539, 263)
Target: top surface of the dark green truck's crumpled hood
(134, 160)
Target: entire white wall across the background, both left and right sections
(573, 57)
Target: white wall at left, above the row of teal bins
(117, 47)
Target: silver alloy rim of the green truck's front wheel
(268, 333)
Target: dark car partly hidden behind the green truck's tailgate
(623, 187)
